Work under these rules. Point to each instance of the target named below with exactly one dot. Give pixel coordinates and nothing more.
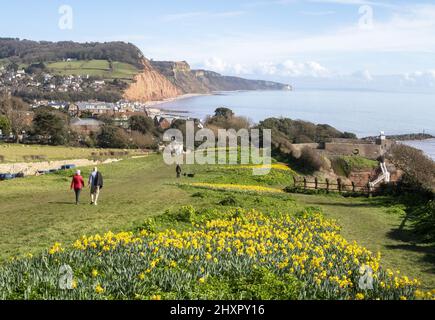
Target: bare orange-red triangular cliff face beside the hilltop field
(151, 85)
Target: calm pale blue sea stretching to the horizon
(365, 113)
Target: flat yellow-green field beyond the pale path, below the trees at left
(22, 153)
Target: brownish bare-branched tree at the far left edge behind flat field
(15, 110)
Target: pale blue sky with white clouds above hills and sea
(325, 43)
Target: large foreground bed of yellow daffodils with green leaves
(302, 257)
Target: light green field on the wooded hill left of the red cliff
(95, 68)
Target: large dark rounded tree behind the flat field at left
(51, 128)
